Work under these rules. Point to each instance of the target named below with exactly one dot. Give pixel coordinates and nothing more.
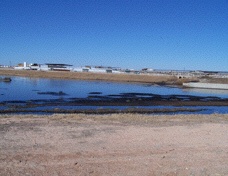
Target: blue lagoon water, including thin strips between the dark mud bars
(25, 89)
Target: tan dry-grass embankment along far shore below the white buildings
(150, 79)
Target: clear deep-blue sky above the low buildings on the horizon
(159, 34)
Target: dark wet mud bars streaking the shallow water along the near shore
(113, 100)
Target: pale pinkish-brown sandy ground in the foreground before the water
(117, 144)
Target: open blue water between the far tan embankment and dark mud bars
(27, 88)
